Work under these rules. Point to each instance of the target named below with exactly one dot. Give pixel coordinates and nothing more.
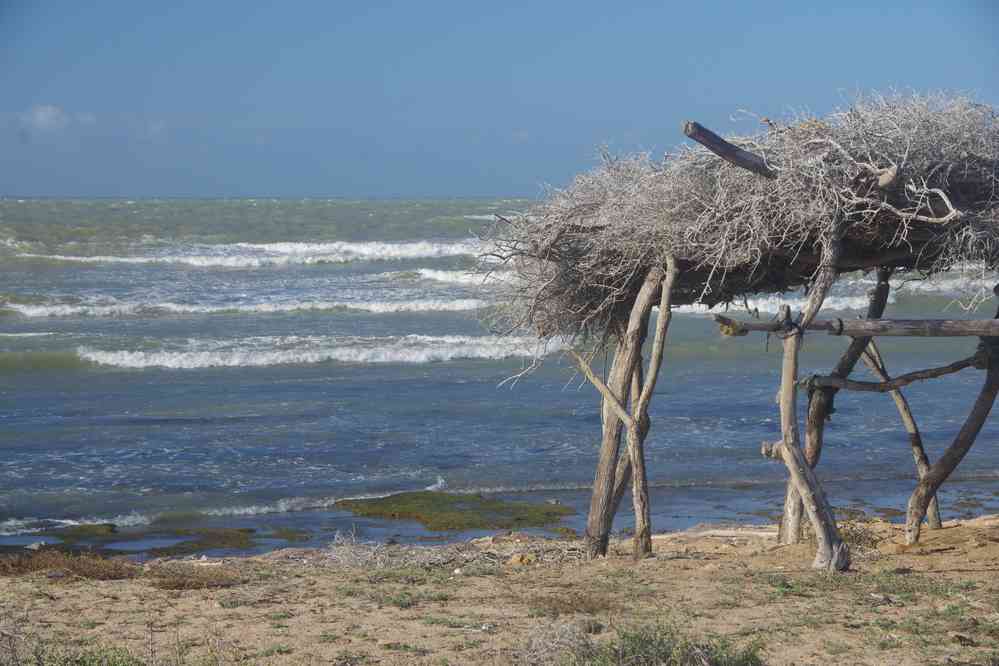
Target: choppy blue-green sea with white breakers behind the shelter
(249, 362)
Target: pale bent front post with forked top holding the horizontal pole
(832, 553)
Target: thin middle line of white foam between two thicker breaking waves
(125, 309)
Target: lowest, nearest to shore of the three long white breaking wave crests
(264, 351)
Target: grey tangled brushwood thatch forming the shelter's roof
(907, 181)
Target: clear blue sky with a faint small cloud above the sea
(430, 99)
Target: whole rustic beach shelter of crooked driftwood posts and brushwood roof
(901, 184)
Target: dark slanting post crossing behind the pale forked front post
(820, 408)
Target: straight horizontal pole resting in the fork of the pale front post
(865, 328)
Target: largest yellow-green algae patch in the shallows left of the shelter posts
(447, 511)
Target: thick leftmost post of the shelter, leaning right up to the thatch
(599, 521)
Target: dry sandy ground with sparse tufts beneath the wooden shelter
(482, 603)
